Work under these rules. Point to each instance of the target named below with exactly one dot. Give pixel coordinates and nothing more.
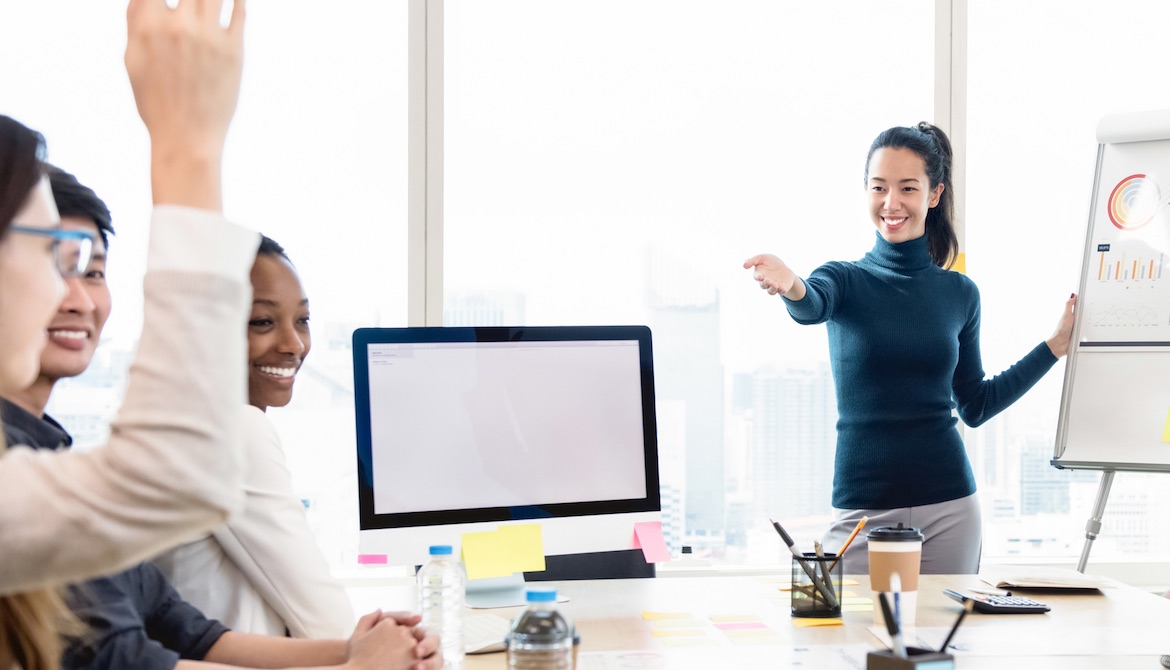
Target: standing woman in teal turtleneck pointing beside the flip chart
(904, 335)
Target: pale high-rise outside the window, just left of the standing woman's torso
(794, 441)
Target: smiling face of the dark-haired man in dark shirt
(77, 329)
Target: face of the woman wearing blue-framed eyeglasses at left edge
(31, 289)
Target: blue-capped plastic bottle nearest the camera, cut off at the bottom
(541, 639)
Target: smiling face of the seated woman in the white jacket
(278, 331)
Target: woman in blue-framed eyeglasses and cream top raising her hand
(171, 469)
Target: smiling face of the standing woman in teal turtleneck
(900, 195)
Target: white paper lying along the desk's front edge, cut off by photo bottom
(773, 657)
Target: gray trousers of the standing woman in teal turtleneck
(953, 530)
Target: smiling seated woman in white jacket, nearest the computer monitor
(245, 574)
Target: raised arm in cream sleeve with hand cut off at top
(171, 469)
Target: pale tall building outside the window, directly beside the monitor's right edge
(684, 313)
